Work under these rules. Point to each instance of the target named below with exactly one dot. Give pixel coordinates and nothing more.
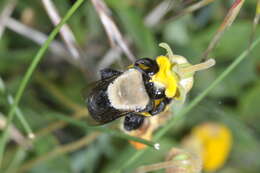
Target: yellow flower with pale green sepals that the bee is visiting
(176, 73)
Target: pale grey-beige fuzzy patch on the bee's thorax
(127, 92)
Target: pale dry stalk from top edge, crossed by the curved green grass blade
(65, 31)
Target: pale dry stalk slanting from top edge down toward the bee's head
(112, 31)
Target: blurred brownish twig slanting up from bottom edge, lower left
(60, 151)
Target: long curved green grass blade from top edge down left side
(28, 74)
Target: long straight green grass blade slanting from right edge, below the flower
(192, 104)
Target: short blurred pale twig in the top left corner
(6, 13)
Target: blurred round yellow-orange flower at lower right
(212, 142)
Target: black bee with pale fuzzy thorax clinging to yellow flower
(131, 93)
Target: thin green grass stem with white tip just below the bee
(104, 130)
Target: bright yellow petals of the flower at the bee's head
(165, 77)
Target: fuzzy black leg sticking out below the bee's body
(133, 121)
